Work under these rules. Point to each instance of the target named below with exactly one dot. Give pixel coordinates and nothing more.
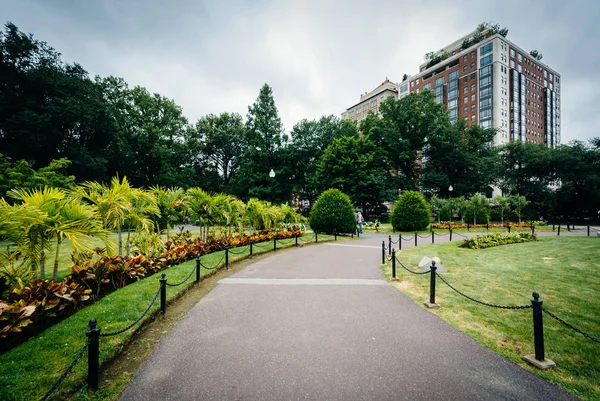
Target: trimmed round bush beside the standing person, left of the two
(333, 212)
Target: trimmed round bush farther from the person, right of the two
(411, 212)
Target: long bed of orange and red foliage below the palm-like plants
(28, 309)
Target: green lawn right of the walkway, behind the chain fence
(568, 283)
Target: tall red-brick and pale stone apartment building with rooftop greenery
(495, 84)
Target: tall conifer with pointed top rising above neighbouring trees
(265, 140)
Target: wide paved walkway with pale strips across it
(320, 323)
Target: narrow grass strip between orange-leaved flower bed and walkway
(28, 371)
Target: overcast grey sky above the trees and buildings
(318, 56)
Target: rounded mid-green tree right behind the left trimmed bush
(356, 167)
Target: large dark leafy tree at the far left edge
(50, 109)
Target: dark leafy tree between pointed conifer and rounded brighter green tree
(309, 139)
